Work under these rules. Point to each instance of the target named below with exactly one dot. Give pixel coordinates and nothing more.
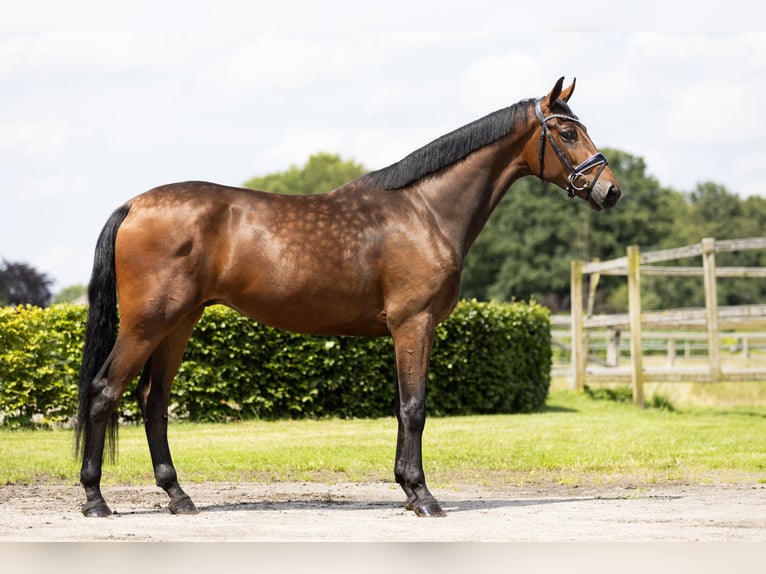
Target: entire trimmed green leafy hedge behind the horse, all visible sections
(487, 358)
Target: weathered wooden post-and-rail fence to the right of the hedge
(713, 318)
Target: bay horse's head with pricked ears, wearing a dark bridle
(565, 155)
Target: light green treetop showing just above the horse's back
(322, 172)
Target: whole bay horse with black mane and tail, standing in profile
(379, 256)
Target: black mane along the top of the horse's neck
(450, 148)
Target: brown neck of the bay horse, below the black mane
(464, 196)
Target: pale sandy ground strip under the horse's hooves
(284, 511)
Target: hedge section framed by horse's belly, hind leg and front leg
(235, 368)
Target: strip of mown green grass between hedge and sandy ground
(576, 440)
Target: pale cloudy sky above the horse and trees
(101, 101)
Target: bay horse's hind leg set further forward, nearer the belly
(153, 397)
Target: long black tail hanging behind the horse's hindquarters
(100, 329)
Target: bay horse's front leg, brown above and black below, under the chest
(412, 344)
